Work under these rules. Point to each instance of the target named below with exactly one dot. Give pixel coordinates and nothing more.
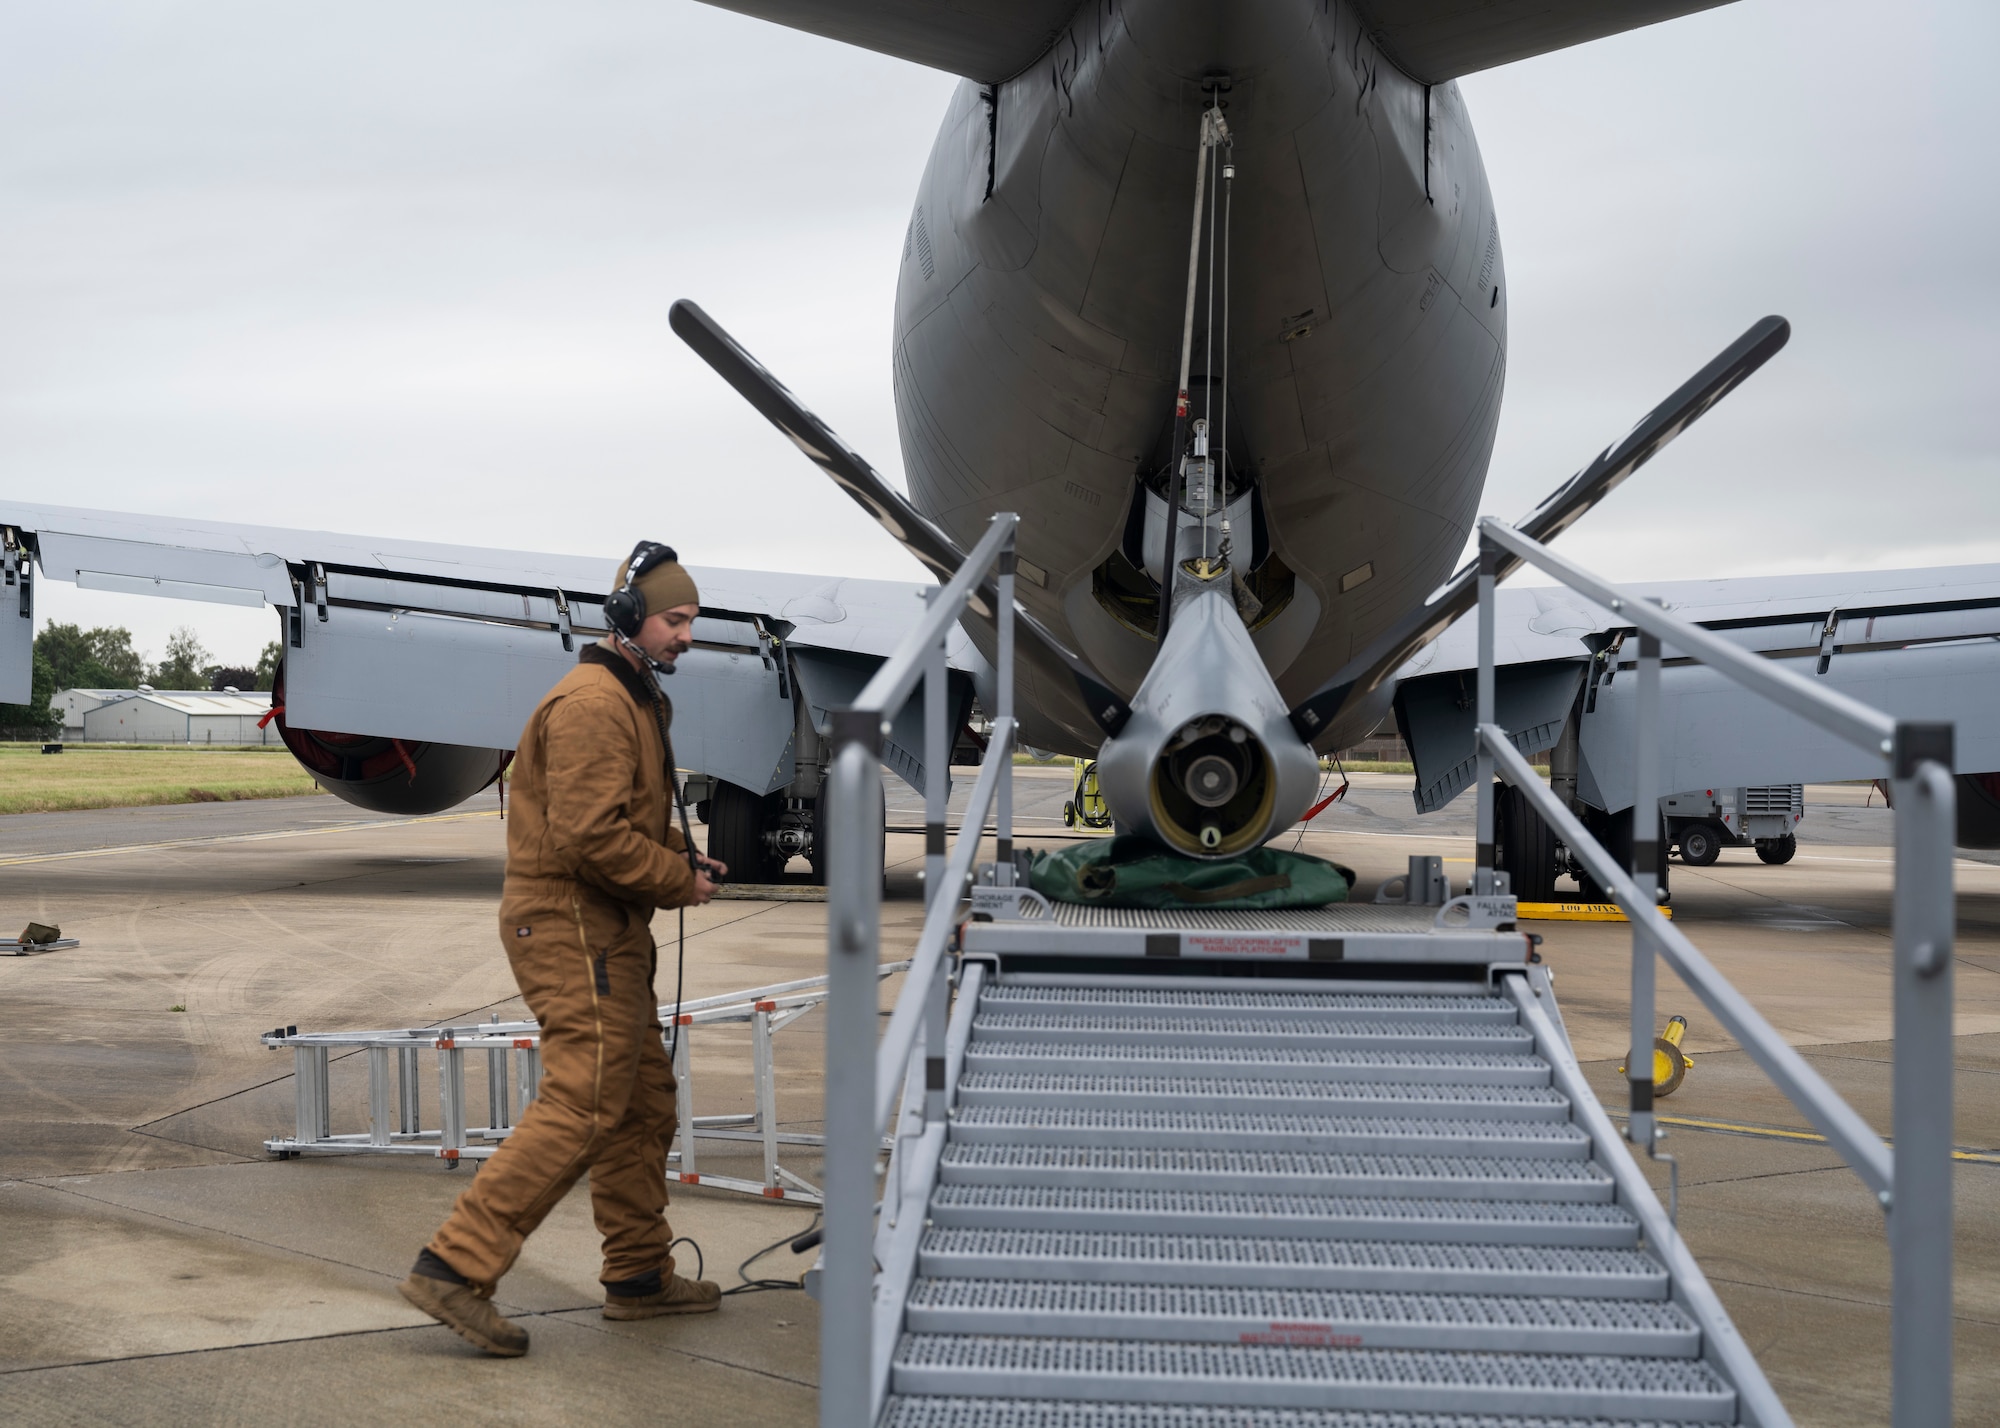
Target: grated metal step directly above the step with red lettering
(1273, 1263)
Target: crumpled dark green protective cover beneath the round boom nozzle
(1137, 873)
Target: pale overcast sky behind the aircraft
(405, 269)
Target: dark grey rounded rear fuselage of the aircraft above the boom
(1037, 329)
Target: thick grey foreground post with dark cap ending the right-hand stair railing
(1921, 1201)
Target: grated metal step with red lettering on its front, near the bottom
(1315, 1319)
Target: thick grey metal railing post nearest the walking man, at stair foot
(853, 1139)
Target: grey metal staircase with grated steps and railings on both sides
(1331, 1169)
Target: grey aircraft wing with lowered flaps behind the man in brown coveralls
(457, 645)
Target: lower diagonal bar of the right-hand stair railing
(1807, 1089)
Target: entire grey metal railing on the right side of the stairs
(1913, 1181)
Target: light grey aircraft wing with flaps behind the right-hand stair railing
(1911, 643)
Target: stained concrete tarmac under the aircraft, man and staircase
(157, 1265)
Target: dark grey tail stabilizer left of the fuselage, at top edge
(985, 41)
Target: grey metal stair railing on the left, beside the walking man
(867, 1079)
